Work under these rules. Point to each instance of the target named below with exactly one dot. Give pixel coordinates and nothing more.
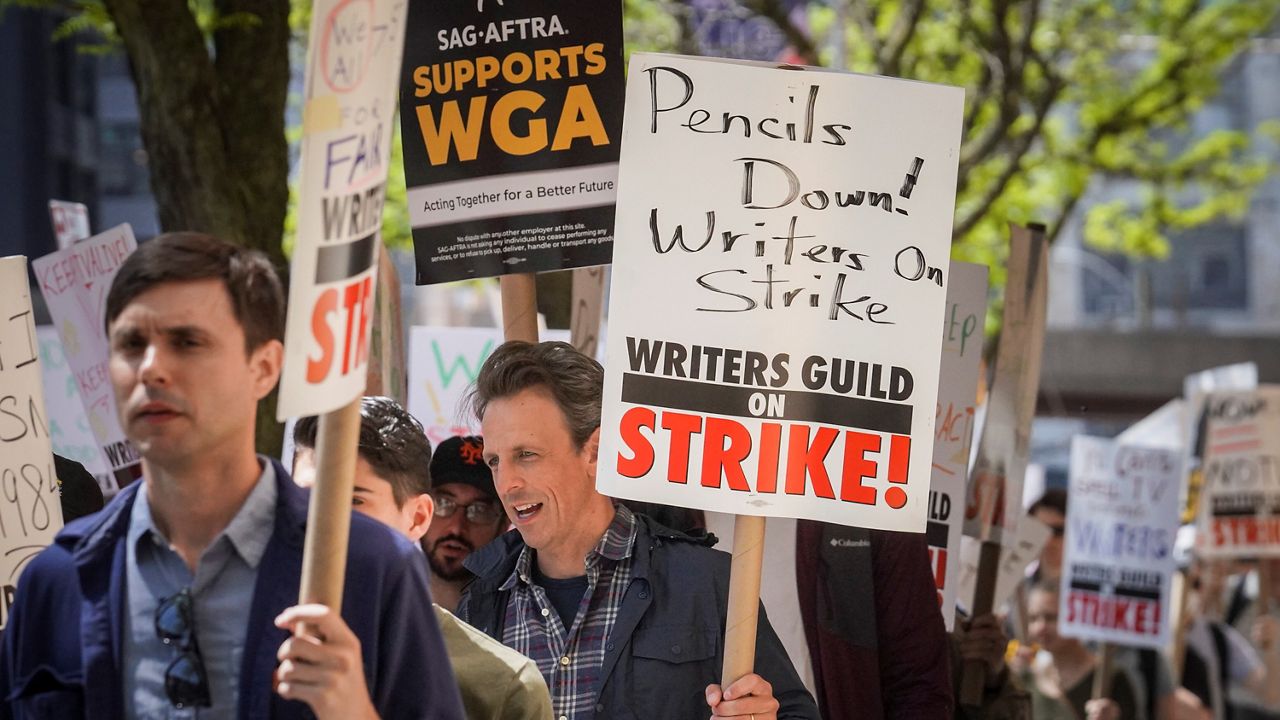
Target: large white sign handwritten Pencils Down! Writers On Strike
(774, 338)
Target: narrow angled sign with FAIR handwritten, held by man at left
(350, 103)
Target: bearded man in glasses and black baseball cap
(468, 516)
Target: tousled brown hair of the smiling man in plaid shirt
(575, 382)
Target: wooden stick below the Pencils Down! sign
(744, 599)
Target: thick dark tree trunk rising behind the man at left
(213, 125)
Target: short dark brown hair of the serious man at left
(258, 299)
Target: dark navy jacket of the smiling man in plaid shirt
(669, 641)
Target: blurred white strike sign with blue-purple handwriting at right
(1118, 555)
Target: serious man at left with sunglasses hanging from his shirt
(179, 598)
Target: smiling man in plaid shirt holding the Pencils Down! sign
(625, 618)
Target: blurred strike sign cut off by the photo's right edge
(1240, 514)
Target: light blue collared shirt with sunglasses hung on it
(222, 590)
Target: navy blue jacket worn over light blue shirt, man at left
(62, 646)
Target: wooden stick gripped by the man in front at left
(324, 554)
